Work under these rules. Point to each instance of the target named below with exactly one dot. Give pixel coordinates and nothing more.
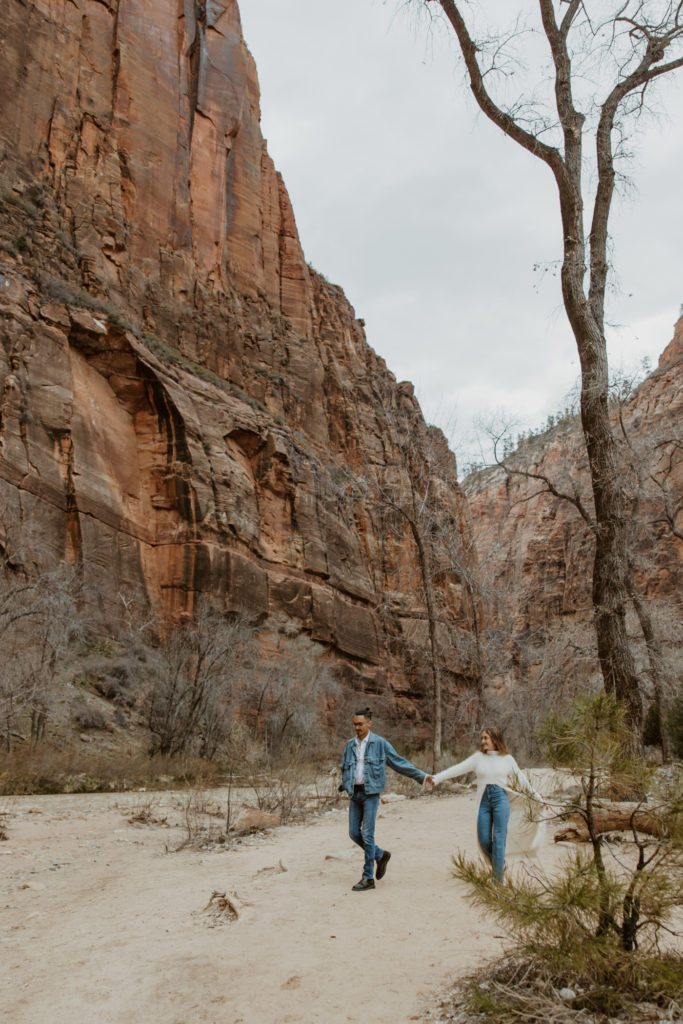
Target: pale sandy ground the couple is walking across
(100, 924)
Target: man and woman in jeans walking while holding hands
(364, 778)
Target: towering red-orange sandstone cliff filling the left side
(183, 397)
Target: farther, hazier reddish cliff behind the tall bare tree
(537, 551)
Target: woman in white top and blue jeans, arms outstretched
(497, 773)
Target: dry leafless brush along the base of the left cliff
(84, 707)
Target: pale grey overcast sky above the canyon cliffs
(433, 223)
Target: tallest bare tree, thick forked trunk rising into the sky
(605, 60)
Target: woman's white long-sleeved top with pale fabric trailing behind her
(525, 835)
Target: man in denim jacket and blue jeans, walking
(364, 778)
